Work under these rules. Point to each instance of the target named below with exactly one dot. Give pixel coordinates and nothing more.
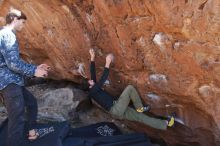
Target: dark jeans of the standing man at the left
(18, 100)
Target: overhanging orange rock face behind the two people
(170, 50)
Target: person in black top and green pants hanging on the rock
(119, 108)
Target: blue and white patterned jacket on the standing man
(12, 67)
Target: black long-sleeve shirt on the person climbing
(102, 97)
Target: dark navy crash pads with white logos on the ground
(61, 134)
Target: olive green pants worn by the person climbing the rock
(121, 110)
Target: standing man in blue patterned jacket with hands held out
(12, 72)
